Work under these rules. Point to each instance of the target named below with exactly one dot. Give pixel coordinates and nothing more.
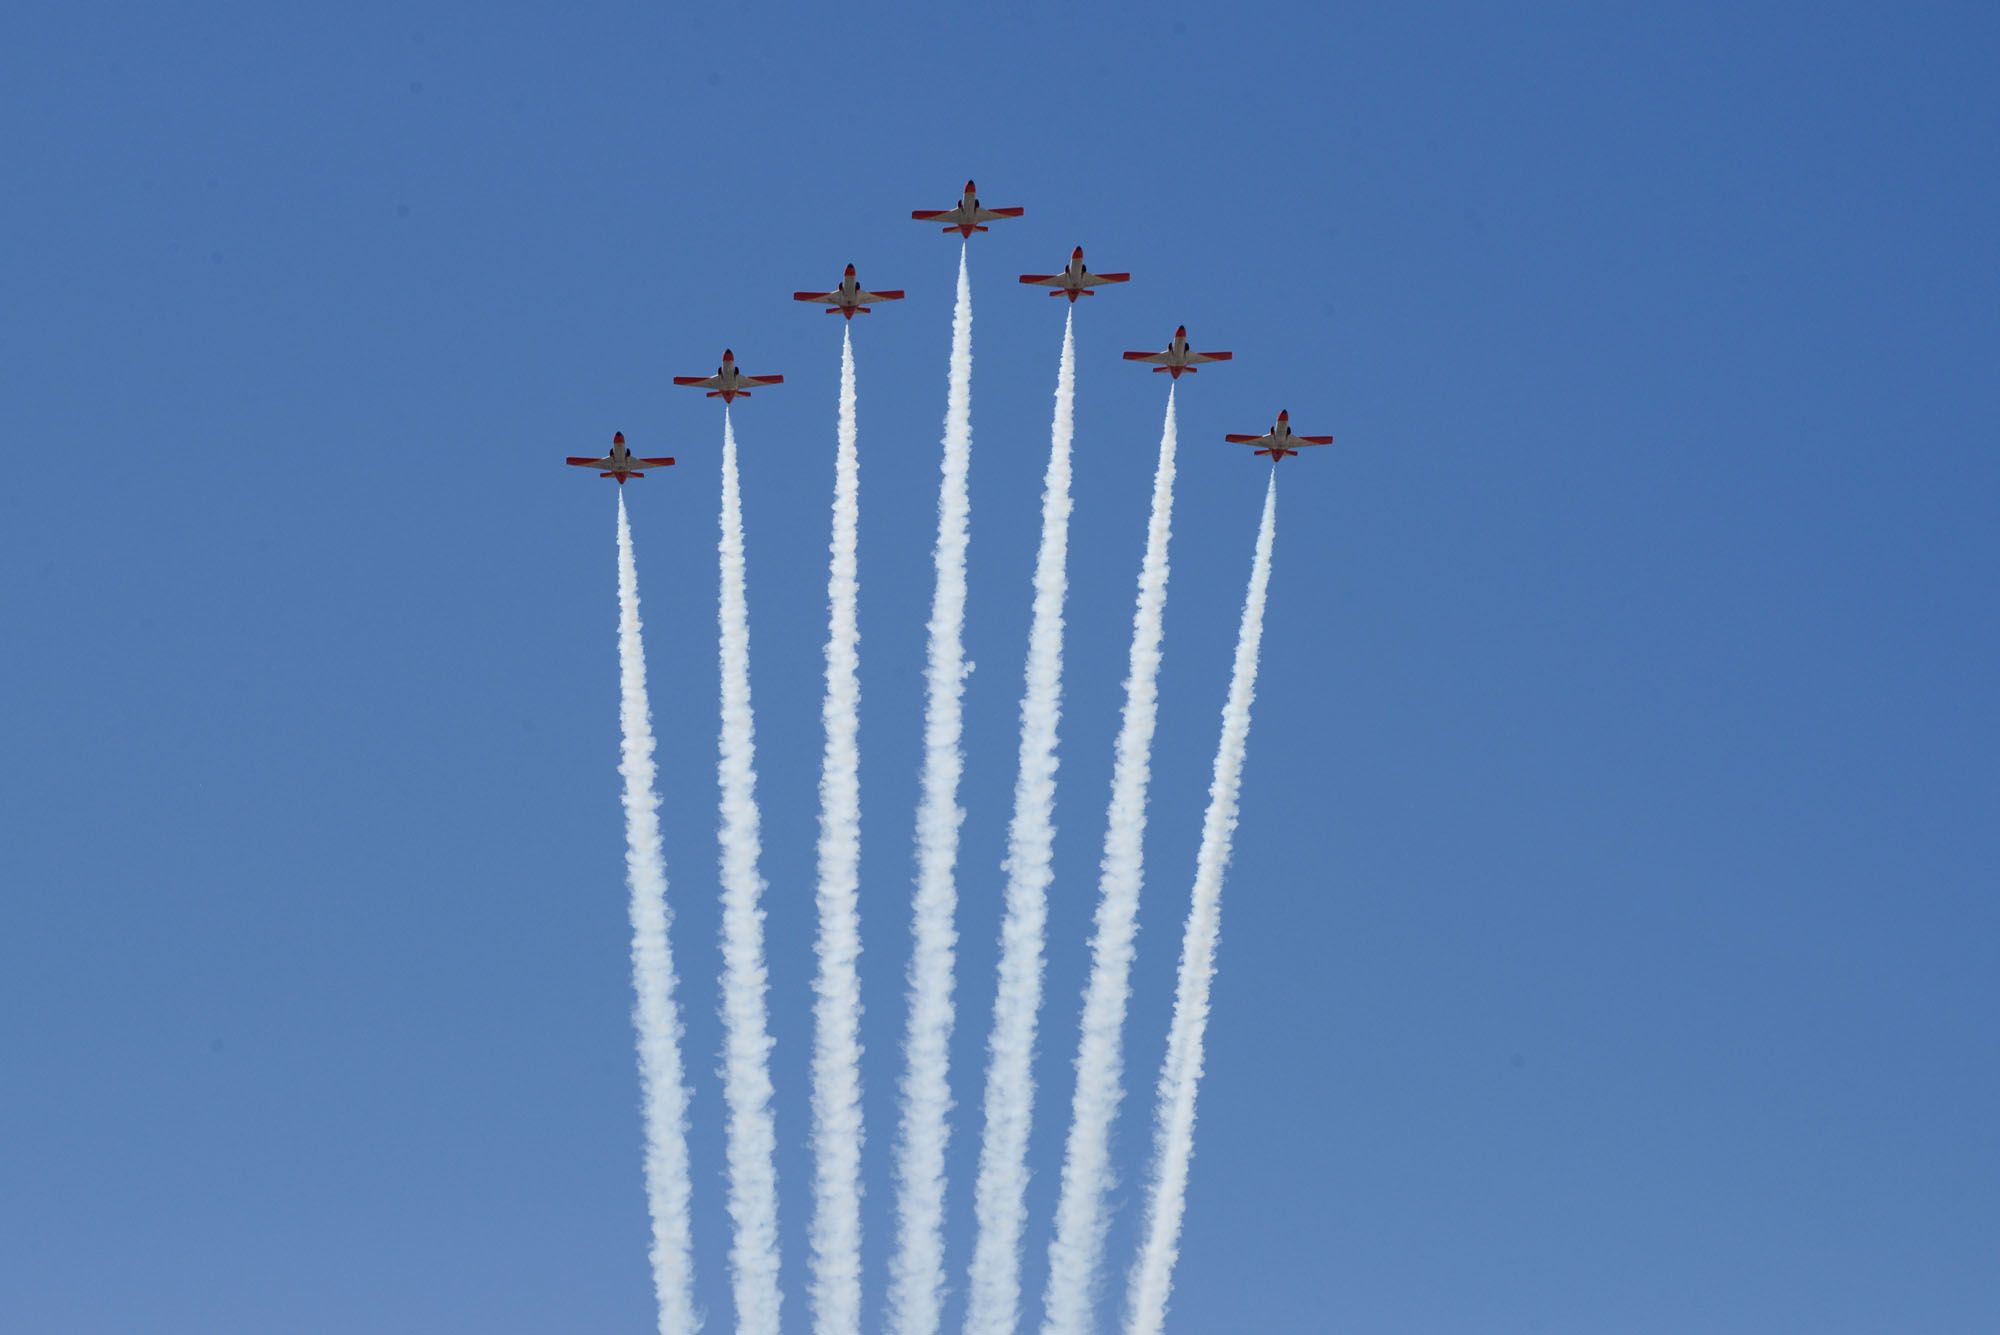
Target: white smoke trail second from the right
(1087, 1176)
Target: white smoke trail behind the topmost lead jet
(917, 1274)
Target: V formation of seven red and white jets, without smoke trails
(849, 299)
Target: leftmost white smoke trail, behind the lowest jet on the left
(655, 1018)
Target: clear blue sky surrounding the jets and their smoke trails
(1613, 932)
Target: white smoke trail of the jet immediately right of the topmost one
(995, 1300)
